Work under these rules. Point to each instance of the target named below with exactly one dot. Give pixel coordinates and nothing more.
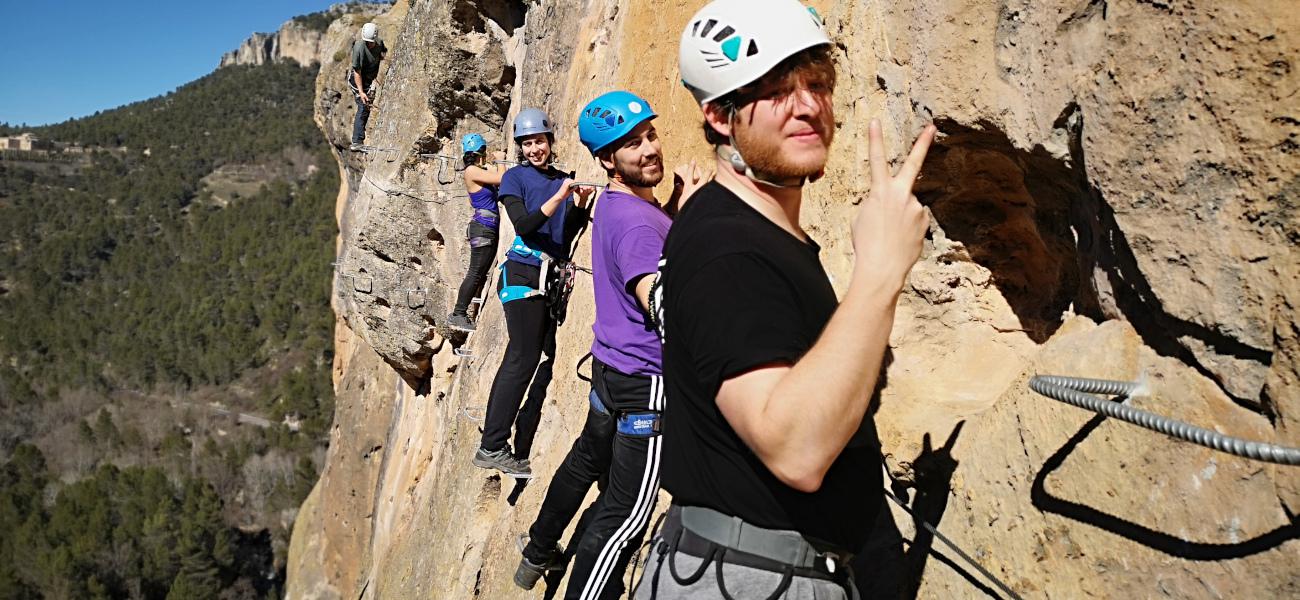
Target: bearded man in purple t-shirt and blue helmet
(621, 440)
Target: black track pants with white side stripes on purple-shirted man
(617, 524)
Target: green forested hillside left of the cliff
(141, 311)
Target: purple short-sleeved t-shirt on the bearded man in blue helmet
(627, 240)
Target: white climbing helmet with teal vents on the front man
(733, 44)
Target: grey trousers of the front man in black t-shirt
(743, 582)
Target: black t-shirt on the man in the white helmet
(739, 292)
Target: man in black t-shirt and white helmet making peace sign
(769, 451)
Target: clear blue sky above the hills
(72, 58)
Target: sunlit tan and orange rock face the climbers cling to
(1115, 195)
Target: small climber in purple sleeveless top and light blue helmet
(482, 180)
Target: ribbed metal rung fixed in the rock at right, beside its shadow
(1080, 393)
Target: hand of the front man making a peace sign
(891, 224)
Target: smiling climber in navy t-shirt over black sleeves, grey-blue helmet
(547, 218)
